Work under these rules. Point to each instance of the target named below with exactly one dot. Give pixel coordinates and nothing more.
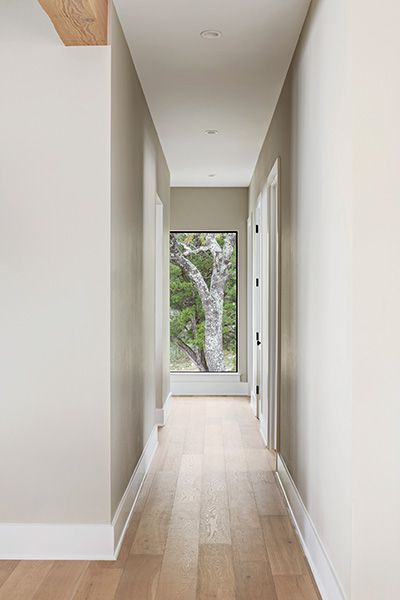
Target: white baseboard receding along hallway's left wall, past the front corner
(124, 511)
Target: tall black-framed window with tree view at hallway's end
(203, 301)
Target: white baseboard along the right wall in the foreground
(321, 566)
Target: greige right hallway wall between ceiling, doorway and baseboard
(311, 133)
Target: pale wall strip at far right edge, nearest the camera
(376, 301)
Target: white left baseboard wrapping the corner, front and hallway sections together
(31, 541)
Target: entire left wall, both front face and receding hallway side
(71, 448)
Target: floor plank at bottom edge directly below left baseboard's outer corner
(98, 583)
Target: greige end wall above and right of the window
(218, 208)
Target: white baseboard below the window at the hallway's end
(208, 384)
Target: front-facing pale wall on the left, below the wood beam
(54, 273)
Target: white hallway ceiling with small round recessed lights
(231, 84)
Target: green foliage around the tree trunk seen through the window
(186, 311)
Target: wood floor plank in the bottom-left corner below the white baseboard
(25, 580)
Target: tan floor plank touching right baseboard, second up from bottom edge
(284, 552)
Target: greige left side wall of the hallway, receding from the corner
(138, 173)
